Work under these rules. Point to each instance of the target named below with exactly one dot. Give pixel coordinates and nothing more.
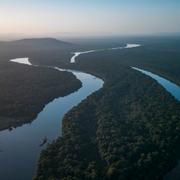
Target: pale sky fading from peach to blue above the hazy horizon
(89, 17)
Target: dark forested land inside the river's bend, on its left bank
(25, 90)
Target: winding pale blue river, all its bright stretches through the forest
(20, 148)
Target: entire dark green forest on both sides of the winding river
(127, 130)
